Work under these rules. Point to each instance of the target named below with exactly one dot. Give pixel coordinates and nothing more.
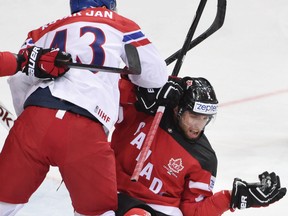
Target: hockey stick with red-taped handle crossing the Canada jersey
(156, 121)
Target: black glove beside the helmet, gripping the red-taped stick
(148, 99)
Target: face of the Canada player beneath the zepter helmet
(192, 124)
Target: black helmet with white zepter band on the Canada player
(199, 97)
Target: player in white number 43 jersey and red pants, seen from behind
(64, 119)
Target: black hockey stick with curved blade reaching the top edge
(217, 24)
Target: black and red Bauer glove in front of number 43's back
(38, 62)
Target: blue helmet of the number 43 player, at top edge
(78, 5)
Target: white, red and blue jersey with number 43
(93, 36)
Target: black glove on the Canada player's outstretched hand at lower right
(267, 191)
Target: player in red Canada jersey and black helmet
(179, 173)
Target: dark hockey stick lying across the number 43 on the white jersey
(134, 66)
